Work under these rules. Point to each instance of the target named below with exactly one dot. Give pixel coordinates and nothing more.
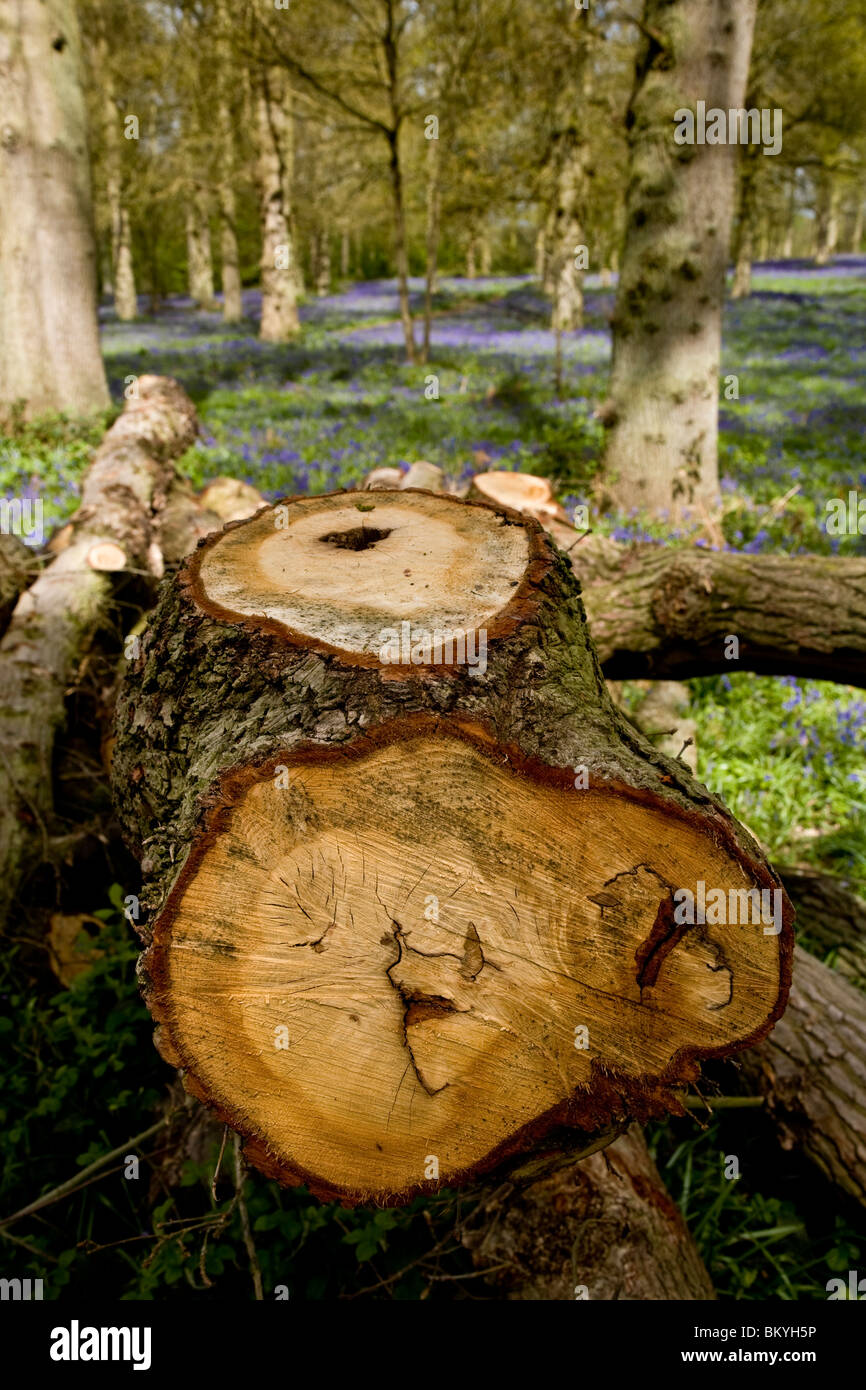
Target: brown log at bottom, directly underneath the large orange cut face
(603, 1229)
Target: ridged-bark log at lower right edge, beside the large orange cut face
(812, 1071)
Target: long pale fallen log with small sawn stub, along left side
(56, 619)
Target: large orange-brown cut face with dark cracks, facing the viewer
(430, 957)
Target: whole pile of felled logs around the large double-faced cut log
(409, 901)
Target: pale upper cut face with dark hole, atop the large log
(344, 569)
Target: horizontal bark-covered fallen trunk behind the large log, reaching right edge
(668, 614)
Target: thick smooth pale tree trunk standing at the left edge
(49, 341)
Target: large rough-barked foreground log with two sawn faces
(412, 893)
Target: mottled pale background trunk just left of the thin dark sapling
(280, 319)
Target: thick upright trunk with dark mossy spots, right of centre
(664, 418)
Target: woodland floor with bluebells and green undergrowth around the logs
(787, 755)
